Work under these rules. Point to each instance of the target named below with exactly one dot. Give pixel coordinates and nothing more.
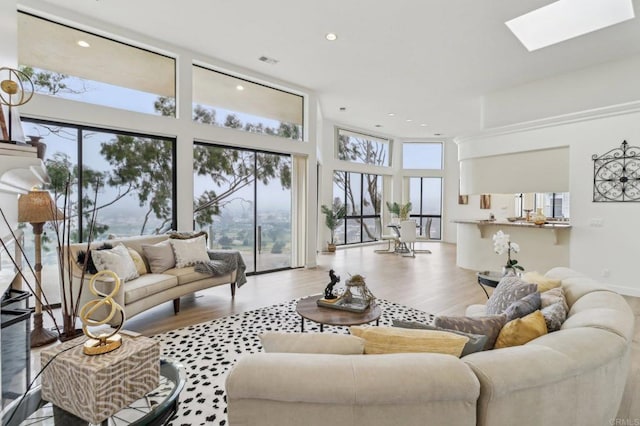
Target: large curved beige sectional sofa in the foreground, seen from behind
(574, 376)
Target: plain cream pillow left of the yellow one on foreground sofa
(312, 343)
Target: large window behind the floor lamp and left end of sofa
(132, 174)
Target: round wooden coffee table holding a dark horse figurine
(307, 308)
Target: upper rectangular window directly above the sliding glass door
(223, 100)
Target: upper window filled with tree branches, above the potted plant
(363, 149)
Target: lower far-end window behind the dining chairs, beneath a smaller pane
(425, 194)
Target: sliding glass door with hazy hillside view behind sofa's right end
(242, 198)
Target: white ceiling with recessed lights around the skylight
(430, 61)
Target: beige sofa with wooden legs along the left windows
(149, 289)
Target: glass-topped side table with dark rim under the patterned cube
(154, 409)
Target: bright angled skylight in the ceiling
(566, 19)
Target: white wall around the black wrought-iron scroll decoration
(608, 252)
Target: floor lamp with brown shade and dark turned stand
(37, 207)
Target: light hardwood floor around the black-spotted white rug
(429, 282)
